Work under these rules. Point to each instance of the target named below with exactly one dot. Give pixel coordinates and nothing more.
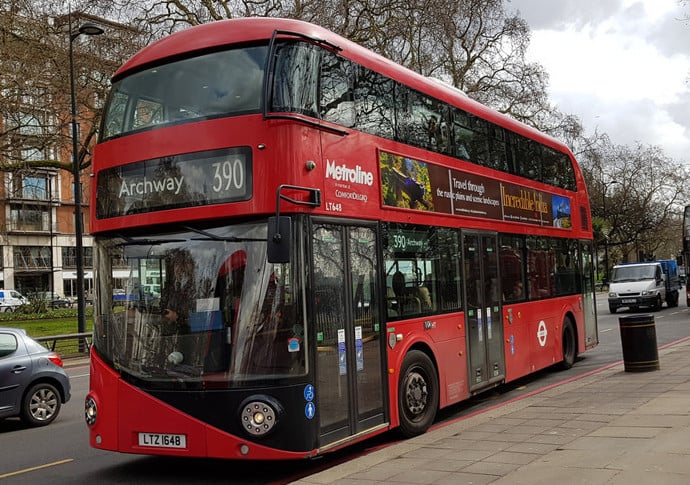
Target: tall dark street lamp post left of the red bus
(86, 29)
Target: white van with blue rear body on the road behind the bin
(646, 284)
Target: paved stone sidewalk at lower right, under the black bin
(611, 427)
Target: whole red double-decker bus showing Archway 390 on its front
(300, 244)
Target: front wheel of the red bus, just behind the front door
(418, 394)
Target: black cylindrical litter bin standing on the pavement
(638, 337)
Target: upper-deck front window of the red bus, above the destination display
(217, 84)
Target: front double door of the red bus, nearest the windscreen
(349, 355)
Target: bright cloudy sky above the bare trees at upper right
(621, 66)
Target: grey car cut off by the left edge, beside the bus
(33, 384)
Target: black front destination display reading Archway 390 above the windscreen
(192, 179)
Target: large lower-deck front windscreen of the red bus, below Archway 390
(197, 306)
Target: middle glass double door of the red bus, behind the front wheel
(482, 312)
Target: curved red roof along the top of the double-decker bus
(220, 33)
